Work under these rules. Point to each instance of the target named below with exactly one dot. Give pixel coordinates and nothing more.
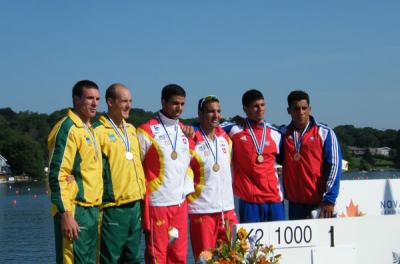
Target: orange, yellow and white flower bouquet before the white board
(243, 249)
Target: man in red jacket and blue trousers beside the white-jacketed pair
(256, 146)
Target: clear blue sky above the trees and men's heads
(346, 54)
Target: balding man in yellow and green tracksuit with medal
(124, 182)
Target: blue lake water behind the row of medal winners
(26, 226)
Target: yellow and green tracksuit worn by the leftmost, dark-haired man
(72, 152)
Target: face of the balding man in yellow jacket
(120, 106)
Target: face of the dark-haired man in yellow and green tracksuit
(86, 105)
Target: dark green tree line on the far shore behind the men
(23, 140)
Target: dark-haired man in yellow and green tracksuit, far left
(74, 150)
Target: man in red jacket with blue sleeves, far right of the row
(312, 161)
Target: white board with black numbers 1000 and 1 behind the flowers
(373, 239)
